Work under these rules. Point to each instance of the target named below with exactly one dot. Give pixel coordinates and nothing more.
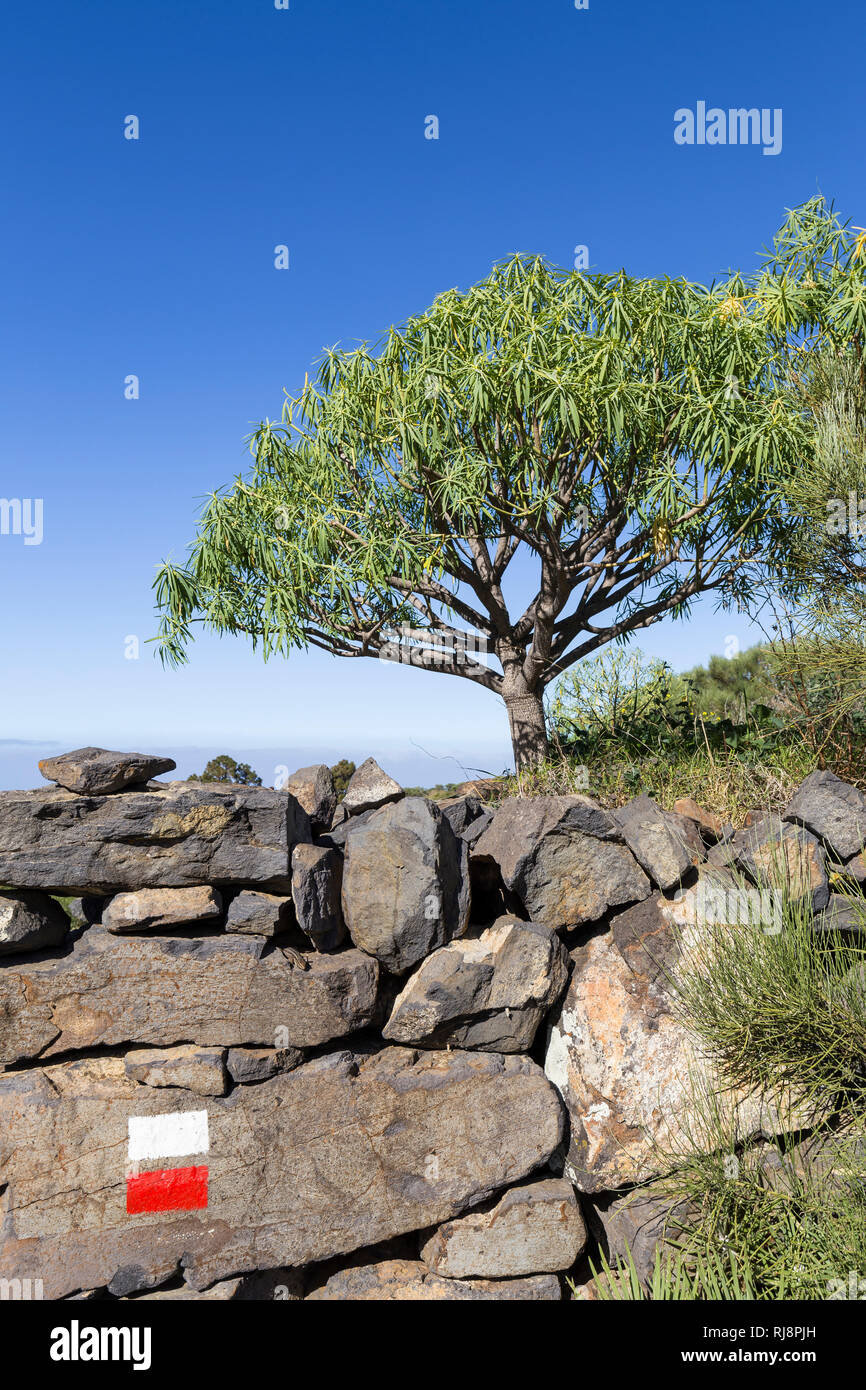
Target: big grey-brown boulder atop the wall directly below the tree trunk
(564, 860)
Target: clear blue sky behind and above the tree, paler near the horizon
(305, 127)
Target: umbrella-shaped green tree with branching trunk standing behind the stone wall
(610, 445)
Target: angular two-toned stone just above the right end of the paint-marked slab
(489, 993)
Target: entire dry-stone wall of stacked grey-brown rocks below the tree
(402, 1050)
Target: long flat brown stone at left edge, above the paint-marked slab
(161, 992)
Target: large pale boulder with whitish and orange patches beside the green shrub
(630, 1074)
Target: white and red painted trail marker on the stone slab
(168, 1189)
